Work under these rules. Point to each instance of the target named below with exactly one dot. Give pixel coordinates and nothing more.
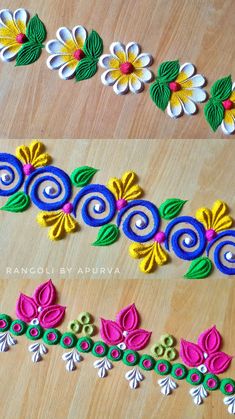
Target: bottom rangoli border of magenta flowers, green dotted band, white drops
(120, 340)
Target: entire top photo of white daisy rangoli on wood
(117, 69)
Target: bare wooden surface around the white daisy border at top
(34, 101)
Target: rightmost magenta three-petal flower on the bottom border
(205, 355)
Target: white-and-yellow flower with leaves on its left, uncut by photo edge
(185, 91)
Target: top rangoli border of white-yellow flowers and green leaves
(75, 53)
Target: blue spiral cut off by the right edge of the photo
(220, 256)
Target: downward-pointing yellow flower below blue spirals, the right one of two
(152, 254)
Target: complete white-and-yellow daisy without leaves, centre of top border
(126, 68)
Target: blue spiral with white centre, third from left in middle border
(107, 197)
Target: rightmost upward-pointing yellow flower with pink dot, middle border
(215, 219)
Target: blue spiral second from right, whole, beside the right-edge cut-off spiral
(196, 238)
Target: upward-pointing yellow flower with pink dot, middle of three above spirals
(125, 189)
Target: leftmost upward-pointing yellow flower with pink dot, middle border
(32, 156)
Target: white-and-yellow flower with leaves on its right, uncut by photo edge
(66, 50)
